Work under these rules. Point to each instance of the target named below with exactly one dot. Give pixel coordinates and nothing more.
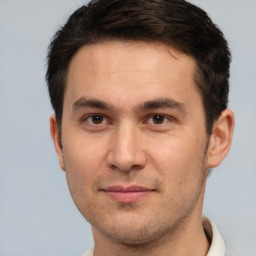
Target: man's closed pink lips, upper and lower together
(129, 194)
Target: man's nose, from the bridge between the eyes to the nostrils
(126, 151)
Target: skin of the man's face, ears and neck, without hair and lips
(133, 115)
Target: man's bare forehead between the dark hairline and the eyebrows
(129, 68)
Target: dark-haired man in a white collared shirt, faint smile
(140, 91)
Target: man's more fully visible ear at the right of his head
(221, 138)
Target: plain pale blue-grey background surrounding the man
(37, 215)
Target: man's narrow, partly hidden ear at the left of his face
(56, 140)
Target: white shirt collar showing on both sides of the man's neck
(217, 247)
